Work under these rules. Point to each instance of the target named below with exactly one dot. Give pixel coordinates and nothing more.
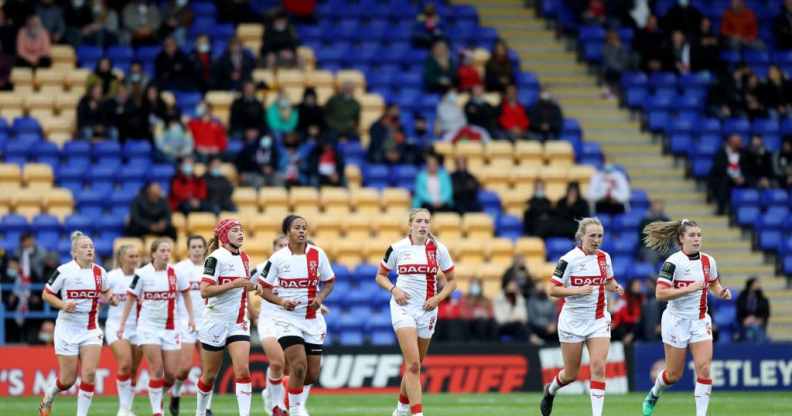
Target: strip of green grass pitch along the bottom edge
(671, 404)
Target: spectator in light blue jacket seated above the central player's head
(433, 188)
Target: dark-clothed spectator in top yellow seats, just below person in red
(280, 42)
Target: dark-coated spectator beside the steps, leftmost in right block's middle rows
(727, 172)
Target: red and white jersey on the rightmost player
(680, 270)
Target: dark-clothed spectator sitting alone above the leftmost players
(150, 214)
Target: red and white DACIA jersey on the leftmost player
(82, 286)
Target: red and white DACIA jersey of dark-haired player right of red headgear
(297, 277)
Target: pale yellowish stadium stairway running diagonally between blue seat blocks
(625, 144)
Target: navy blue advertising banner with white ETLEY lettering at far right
(750, 367)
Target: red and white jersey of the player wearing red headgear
(223, 266)
